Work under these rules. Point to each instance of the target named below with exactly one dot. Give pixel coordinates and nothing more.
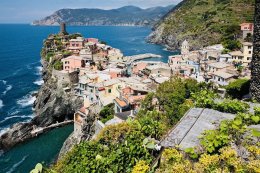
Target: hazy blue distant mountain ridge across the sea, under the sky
(124, 16)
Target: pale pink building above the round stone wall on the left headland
(73, 63)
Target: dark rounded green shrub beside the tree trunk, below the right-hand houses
(238, 88)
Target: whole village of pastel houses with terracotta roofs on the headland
(104, 77)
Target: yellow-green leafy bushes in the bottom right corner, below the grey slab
(215, 153)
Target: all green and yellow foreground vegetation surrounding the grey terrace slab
(129, 146)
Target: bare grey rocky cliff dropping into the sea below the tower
(52, 105)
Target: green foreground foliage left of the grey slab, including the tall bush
(122, 147)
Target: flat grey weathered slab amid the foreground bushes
(185, 134)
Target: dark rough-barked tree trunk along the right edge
(255, 84)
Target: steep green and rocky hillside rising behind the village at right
(202, 22)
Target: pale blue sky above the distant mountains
(25, 11)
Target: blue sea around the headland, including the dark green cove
(20, 76)
